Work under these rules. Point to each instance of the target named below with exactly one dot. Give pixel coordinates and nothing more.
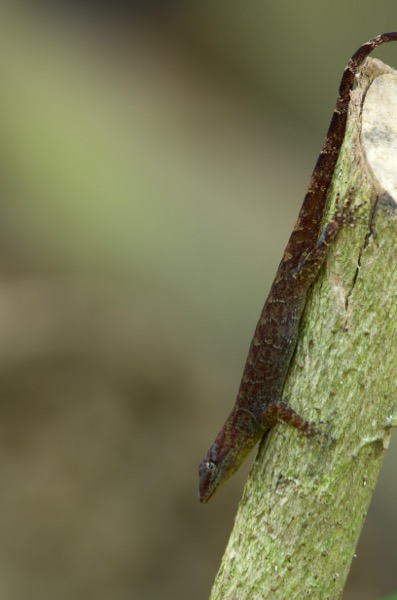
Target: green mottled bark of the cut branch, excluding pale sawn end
(303, 507)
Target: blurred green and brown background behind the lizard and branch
(153, 161)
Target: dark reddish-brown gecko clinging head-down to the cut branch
(259, 405)
